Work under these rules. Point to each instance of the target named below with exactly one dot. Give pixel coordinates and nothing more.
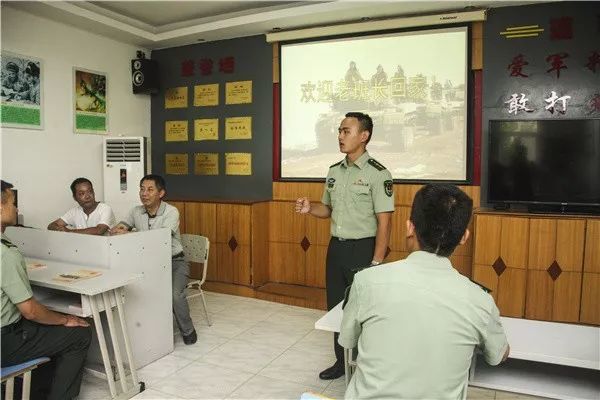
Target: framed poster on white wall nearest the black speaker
(90, 111)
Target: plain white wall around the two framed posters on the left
(42, 164)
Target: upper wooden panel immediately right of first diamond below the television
(513, 242)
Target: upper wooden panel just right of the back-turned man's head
(487, 239)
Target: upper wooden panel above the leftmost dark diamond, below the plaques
(233, 220)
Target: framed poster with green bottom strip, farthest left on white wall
(21, 105)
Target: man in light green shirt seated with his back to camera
(417, 321)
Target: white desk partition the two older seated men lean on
(148, 302)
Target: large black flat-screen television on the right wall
(551, 165)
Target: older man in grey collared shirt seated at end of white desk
(155, 214)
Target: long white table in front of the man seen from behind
(559, 346)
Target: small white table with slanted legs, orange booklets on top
(86, 298)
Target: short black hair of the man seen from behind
(440, 213)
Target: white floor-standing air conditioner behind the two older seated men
(124, 166)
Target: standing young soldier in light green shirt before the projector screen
(359, 198)
